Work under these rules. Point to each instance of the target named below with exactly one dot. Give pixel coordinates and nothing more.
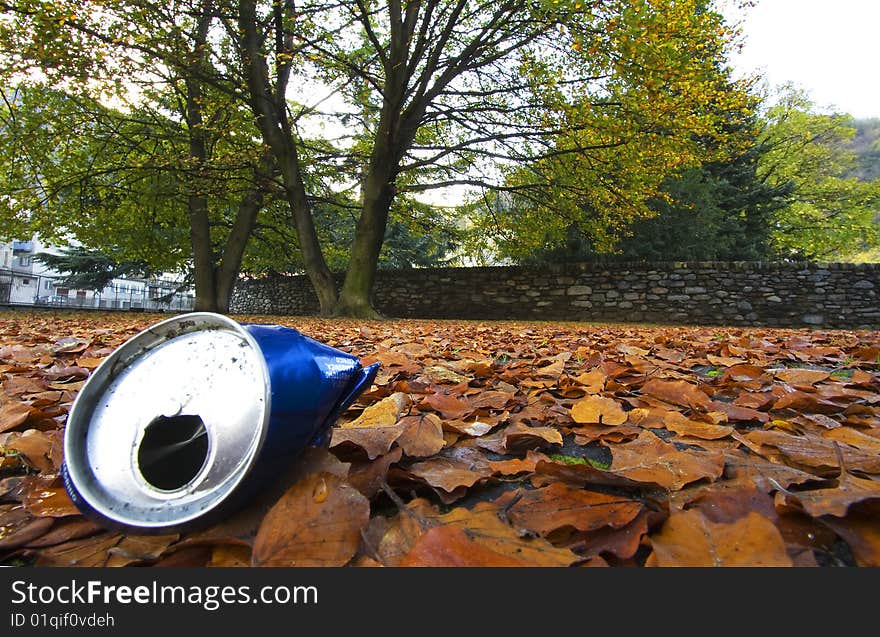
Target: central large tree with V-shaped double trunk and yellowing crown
(441, 92)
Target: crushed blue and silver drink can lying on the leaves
(186, 420)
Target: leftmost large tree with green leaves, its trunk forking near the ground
(178, 156)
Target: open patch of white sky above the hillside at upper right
(829, 47)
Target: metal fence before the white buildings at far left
(33, 290)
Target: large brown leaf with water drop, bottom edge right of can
(317, 522)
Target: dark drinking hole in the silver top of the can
(173, 451)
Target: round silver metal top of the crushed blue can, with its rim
(200, 373)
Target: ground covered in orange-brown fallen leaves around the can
(502, 444)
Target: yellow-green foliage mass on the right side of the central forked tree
(661, 102)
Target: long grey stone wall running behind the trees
(759, 294)
